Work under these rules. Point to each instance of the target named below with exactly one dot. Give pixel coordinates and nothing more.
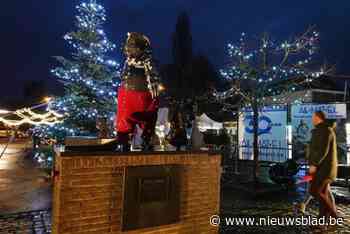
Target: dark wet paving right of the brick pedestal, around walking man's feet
(236, 203)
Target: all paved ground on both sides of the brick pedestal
(25, 200)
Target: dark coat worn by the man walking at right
(323, 153)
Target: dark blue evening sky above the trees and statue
(31, 31)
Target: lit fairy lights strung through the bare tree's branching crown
(264, 79)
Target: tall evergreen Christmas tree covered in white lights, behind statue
(89, 77)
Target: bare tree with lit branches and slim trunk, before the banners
(264, 72)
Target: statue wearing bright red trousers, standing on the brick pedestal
(138, 94)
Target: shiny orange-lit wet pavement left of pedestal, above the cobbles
(22, 185)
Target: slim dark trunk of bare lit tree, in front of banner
(255, 140)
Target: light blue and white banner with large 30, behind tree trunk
(272, 134)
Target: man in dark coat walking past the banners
(323, 163)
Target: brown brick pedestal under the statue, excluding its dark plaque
(89, 191)
